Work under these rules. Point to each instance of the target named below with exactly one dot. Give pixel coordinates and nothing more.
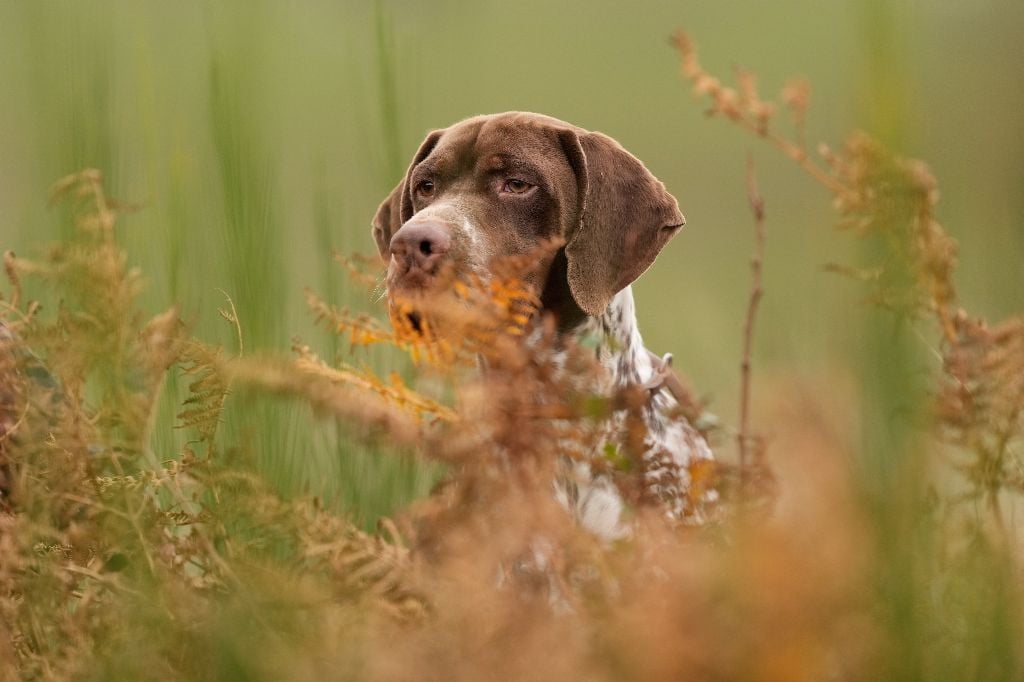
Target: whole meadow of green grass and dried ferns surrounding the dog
(215, 476)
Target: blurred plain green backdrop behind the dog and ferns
(259, 137)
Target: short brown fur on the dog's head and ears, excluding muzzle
(613, 214)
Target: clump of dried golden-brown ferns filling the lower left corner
(107, 543)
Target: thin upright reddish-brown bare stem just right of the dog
(745, 439)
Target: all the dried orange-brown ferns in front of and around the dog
(120, 562)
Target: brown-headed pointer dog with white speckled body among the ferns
(498, 186)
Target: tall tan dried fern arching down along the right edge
(979, 396)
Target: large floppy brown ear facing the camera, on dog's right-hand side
(625, 217)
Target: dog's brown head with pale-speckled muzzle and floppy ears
(498, 186)
